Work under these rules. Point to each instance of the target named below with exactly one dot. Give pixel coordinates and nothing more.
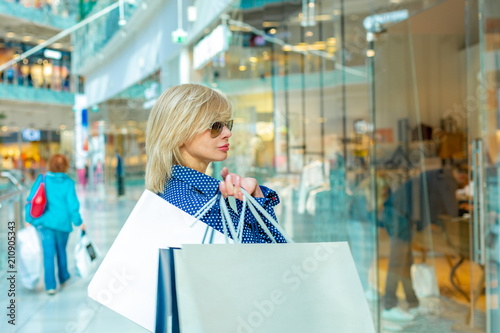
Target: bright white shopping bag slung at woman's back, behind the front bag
(127, 279)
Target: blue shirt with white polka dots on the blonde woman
(189, 190)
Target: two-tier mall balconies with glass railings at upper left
(42, 81)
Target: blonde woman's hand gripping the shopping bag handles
(232, 184)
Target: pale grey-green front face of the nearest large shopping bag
(254, 288)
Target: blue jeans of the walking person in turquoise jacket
(54, 244)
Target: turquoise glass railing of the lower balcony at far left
(30, 94)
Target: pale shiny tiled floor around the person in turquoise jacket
(71, 310)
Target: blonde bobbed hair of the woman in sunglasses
(181, 113)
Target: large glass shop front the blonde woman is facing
(372, 121)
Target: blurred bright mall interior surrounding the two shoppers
(377, 123)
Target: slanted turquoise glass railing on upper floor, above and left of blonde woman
(91, 39)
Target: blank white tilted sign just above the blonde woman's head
(216, 42)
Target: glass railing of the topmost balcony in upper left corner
(57, 14)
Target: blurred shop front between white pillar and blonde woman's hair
(116, 131)
